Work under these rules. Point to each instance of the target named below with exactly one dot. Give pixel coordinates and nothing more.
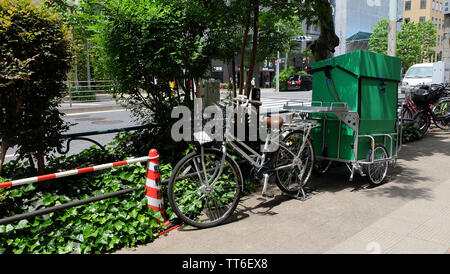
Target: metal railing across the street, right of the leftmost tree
(88, 91)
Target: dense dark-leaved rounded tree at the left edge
(35, 56)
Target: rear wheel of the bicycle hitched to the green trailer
(294, 164)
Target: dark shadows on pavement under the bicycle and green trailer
(405, 180)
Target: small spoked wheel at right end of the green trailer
(377, 172)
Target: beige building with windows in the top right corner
(427, 10)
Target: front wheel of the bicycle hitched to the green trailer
(202, 192)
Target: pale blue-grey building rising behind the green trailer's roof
(354, 21)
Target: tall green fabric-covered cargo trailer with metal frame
(354, 100)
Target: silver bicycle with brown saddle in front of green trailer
(206, 185)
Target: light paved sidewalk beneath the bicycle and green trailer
(409, 214)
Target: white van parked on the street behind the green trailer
(418, 74)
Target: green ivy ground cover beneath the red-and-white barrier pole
(97, 227)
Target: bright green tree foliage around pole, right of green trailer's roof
(415, 41)
